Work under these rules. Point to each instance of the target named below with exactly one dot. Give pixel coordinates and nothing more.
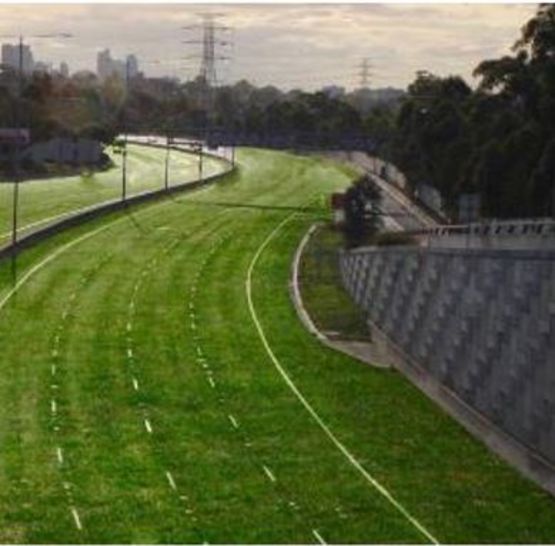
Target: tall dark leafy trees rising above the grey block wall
(497, 141)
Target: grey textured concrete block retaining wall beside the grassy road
(481, 322)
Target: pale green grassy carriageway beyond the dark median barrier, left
(44, 200)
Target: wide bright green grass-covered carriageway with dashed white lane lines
(140, 404)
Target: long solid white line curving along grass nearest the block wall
(349, 456)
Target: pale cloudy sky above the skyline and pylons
(288, 45)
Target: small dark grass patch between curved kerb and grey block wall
(328, 303)
